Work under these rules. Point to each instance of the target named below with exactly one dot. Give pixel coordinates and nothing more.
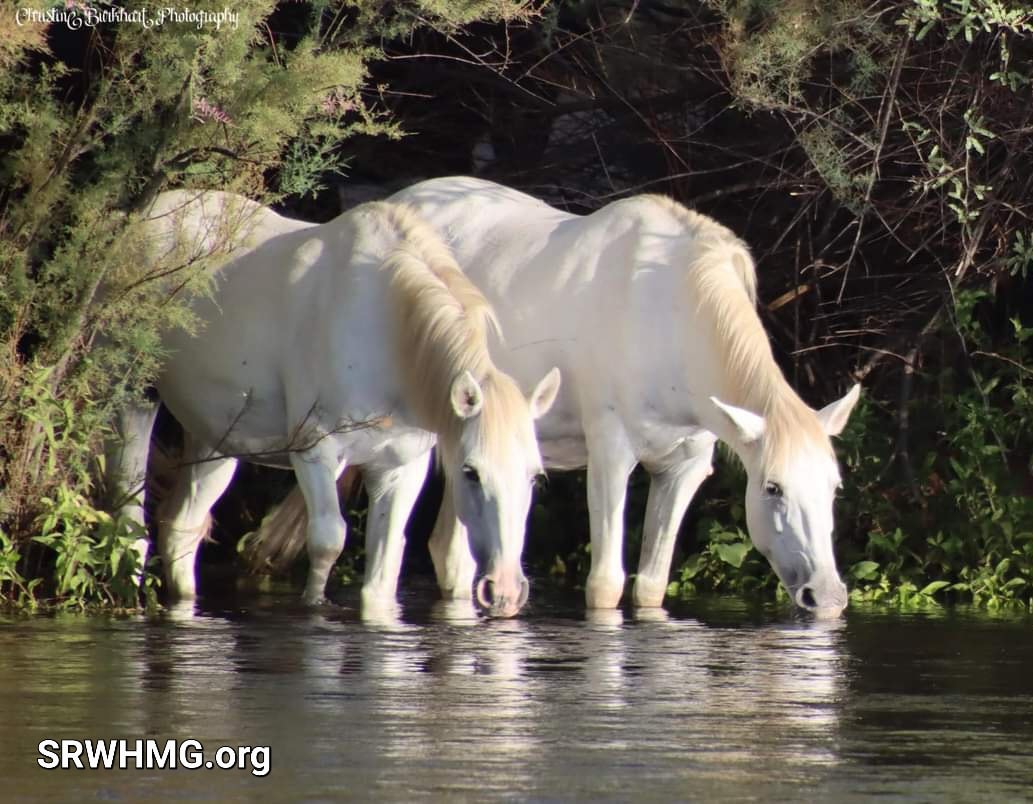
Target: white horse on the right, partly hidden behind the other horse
(649, 311)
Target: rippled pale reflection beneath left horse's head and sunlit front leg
(437, 695)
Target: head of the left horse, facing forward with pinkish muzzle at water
(492, 468)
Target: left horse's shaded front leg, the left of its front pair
(317, 471)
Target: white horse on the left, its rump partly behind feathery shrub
(359, 342)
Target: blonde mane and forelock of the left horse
(443, 323)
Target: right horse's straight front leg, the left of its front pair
(610, 463)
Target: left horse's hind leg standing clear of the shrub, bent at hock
(183, 517)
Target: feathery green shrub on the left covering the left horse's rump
(96, 119)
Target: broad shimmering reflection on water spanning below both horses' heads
(643, 690)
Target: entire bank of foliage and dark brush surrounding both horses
(872, 154)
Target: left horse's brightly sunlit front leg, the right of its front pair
(393, 492)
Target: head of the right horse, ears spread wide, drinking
(792, 483)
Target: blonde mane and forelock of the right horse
(723, 280)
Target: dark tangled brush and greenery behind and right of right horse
(873, 156)
